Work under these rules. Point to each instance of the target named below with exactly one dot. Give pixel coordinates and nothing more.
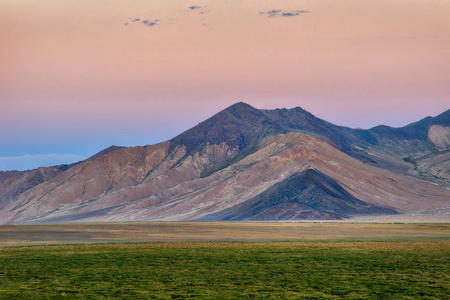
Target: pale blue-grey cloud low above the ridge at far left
(28, 162)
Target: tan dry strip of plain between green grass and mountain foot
(216, 231)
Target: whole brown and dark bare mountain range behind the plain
(246, 164)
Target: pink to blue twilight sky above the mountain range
(77, 76)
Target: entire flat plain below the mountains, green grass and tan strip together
(214, 260)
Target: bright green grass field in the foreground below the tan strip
(396, 269)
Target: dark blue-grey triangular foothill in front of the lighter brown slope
(302, 196)
